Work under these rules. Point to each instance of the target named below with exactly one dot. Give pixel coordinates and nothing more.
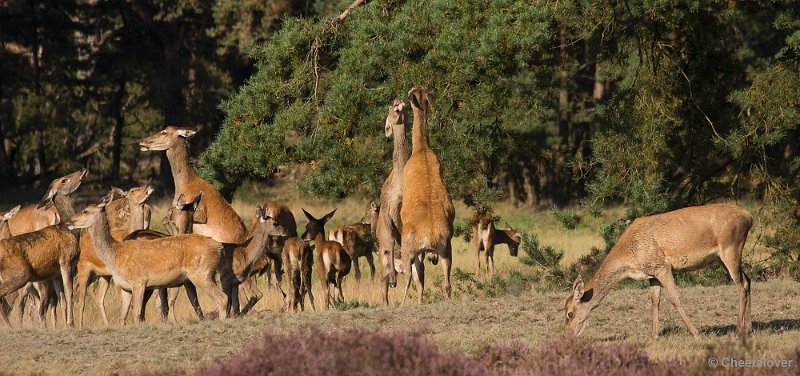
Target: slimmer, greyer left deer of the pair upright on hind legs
(389, 226)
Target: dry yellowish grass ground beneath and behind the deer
(477, 316)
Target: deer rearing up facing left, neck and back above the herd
(214, 218)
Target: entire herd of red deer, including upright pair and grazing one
(42, 247)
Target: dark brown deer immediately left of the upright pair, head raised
(358, 240)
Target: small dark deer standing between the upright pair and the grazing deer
(485, 237)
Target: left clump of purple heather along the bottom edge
(351, 352)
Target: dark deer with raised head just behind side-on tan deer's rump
(238, 259)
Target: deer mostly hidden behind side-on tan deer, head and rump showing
(127, 214)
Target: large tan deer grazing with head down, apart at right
(653, 247)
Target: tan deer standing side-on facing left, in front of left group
(145, 264)
